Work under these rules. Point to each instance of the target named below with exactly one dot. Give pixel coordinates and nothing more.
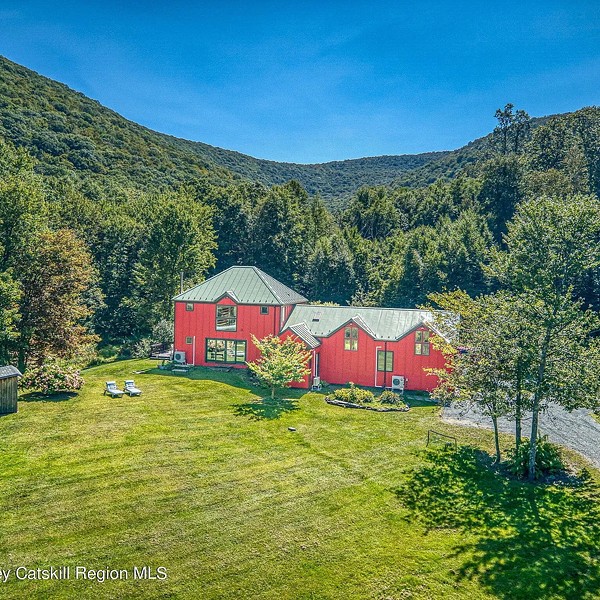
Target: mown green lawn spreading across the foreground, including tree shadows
(200, 476)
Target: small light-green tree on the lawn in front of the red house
(281, 361)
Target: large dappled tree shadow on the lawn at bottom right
(525, 541)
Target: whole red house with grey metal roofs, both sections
(369, 346)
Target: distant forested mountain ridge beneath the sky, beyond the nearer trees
(70, 133)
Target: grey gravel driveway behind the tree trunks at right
(577, 430)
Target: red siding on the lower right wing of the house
(342, 366)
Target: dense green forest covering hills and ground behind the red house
(99, 217)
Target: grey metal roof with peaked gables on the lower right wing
(385, 324)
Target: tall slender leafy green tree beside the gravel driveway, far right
(550, 243)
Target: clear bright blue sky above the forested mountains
(314, 81)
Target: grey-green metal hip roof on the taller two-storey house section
(246, 285)
